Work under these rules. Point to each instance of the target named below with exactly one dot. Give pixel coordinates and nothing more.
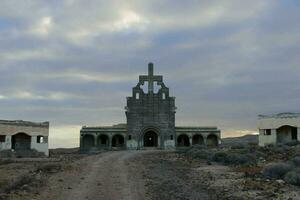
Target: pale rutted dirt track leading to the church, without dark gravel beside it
(104, 176)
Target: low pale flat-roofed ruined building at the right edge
(278, 128)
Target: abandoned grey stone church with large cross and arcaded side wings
(150, 122)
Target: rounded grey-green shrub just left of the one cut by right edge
(277, 170)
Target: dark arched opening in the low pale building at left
(21, 141)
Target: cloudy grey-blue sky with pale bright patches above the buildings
(74, 62)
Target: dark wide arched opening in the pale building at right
(286, 134)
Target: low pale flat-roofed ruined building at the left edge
(23, 135)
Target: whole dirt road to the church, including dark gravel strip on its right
(125, 175)
